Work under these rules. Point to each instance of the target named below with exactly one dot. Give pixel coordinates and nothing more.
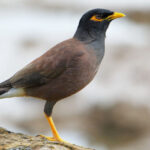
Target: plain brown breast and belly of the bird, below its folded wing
(80, 70)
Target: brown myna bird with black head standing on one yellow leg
(64, 69)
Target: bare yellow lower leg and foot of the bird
(56, 136)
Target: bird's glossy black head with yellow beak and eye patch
(94, 24)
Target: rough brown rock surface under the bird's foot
(18, 141)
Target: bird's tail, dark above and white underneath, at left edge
(7, 90)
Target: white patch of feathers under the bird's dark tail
(13, 93)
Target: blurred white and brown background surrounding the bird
(113, 111)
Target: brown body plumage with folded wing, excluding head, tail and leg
(59, 73)
